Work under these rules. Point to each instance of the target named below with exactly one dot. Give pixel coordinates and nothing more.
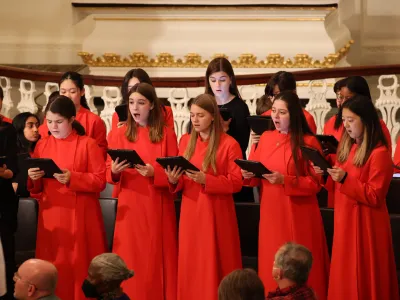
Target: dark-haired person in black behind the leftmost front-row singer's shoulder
(26, 125)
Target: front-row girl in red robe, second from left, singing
(145, 233)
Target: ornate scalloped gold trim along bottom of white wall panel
(194, 60)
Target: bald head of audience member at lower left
(41, 273)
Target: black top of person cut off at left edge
(8, 198)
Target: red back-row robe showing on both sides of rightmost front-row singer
(329, 129)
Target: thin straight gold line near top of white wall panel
(208, 19)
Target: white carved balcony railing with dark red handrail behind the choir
(314, 86)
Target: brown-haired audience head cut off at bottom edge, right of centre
(241, 285)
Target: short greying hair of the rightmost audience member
(295, 261)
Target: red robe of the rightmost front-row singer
(363, 265)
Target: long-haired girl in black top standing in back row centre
(220, 82)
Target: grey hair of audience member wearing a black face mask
(111, 267)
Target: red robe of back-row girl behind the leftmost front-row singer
(93, 124)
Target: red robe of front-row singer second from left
(145, 233)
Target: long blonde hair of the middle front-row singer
(208, 103)
